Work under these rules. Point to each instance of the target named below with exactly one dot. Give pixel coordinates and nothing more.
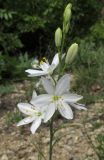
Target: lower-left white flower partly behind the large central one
(33, 113)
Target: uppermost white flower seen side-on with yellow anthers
(45, 67)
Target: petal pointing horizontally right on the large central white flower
(71, 97)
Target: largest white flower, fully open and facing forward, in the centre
(58, 97)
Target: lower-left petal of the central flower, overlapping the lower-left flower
(49, 112)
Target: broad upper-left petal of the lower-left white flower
(26, 108)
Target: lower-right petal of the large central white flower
(65, 110)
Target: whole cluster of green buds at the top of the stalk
(60, 37)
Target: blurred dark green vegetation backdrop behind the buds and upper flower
(27, 31)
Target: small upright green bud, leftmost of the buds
(58, 37)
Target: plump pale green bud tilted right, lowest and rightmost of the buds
(72, 52)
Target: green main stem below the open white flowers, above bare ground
(51, 139)
